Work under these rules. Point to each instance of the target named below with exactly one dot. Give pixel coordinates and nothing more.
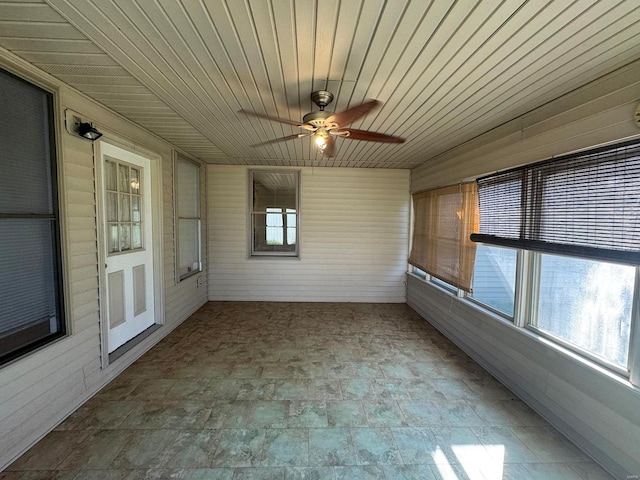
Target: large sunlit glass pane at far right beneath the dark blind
(587, 303)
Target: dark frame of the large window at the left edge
(56, 221)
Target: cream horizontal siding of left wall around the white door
(41, 389)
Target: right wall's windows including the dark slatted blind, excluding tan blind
(558, 252)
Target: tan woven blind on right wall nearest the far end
(444, 219)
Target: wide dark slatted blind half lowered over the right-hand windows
(585, 204)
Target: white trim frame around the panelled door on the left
(157, 244)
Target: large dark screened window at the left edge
(31, 308)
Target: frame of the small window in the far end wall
(252, 252)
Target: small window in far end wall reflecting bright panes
(274, 212)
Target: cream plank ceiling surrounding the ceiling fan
(445, 70)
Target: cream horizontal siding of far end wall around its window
(353, 238)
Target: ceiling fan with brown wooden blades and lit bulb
(323, 126)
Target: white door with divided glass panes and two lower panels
(126, 219)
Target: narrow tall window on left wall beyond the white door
(188, 236)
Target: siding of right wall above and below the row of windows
(598, 411)
